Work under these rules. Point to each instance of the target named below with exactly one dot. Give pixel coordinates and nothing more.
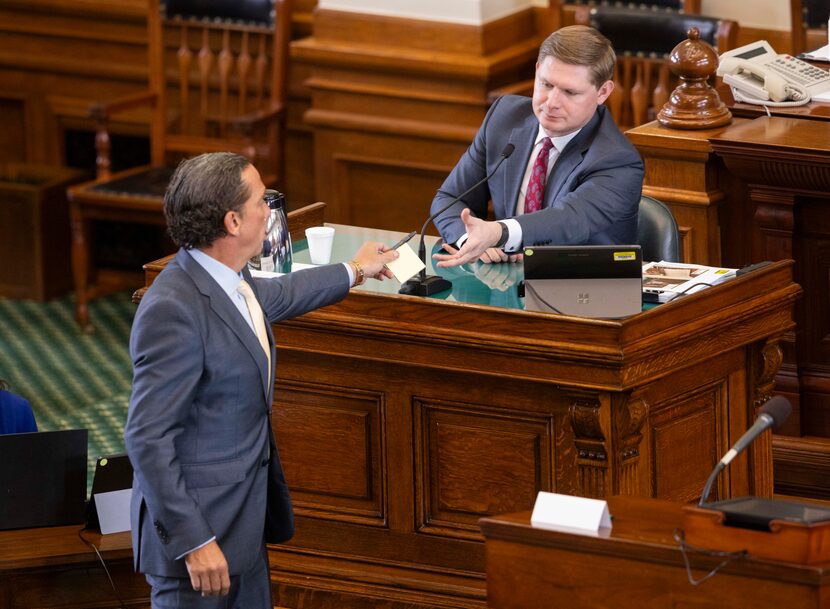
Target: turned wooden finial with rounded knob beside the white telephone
(694, 104)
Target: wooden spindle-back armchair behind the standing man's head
(217, 81)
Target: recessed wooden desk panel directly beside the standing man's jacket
(331, 446)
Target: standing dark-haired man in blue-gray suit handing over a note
(208, 490)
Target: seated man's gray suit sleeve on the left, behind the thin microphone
(471, 168)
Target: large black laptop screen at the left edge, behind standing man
(43, 478)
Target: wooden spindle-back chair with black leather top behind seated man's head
(643, 40)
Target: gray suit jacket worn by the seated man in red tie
(591, 197)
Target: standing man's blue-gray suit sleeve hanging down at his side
(168, 361)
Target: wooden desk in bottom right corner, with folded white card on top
(638, 565)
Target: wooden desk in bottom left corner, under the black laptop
(51, 567)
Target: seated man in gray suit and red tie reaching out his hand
(573, 177)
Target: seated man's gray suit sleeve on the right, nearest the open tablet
(607, 193)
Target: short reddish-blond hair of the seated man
(582, 46)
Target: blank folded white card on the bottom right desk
(554, 511)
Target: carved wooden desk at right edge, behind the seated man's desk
(765, 187)
